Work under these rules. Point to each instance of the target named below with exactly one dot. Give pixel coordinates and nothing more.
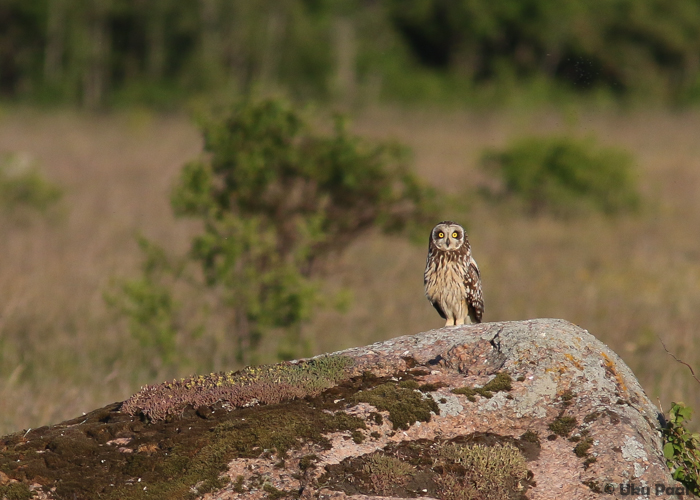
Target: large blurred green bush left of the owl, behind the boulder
(276, 199)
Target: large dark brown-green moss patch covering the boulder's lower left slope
(111, 454)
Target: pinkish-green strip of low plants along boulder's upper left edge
(266, 384)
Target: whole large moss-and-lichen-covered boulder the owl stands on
(535, 409)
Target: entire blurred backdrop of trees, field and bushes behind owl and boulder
(562, 134)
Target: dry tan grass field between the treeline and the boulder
(628, 280)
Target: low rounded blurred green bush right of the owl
(564, 175)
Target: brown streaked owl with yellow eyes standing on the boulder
(452, 280)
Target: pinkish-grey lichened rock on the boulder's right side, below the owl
(574, 410)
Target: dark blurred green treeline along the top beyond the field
(162, 53)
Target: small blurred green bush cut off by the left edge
(22, 185)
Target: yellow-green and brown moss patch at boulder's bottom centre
(478, 466)
